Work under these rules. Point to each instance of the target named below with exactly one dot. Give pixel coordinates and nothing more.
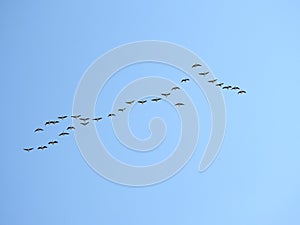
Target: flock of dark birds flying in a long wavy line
(86, 120)
